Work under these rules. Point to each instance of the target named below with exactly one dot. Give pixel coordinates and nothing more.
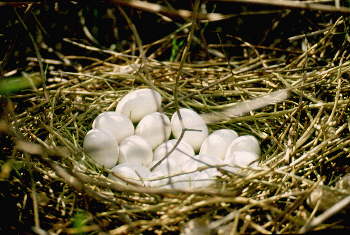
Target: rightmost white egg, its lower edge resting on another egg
(245, 143)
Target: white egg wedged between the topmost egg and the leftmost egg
(114, 123)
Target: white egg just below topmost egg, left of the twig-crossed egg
(155, 128)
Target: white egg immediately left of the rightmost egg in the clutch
(217, 143)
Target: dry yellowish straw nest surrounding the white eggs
(304, 139)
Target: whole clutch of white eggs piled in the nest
(135, 143)
